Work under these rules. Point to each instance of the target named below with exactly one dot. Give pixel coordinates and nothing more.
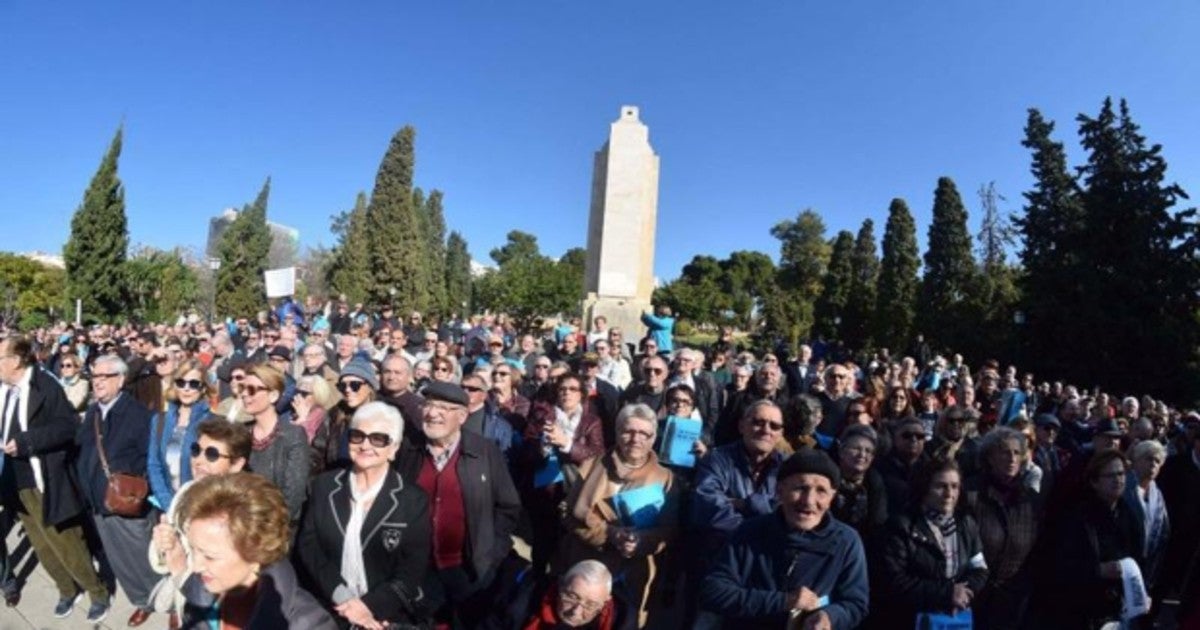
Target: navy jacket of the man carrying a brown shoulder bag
(127, 435)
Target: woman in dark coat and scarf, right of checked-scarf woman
(1009, 515)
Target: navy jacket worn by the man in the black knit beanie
(765, 561)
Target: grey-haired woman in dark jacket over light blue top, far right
(1145, 501)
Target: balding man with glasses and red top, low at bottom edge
(583, 598)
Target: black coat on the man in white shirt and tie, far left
(50, 435)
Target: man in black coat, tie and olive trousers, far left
(39, 425)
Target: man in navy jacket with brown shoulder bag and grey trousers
(118, 427)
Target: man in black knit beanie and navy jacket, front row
(797, 563)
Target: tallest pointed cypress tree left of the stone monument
(395, 233)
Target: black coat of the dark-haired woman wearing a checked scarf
(911, 572)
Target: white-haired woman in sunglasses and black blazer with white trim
(368, 562)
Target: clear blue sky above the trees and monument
(758, 110)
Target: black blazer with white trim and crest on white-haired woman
(395, 544)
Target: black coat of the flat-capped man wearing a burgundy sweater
(489, 496)
